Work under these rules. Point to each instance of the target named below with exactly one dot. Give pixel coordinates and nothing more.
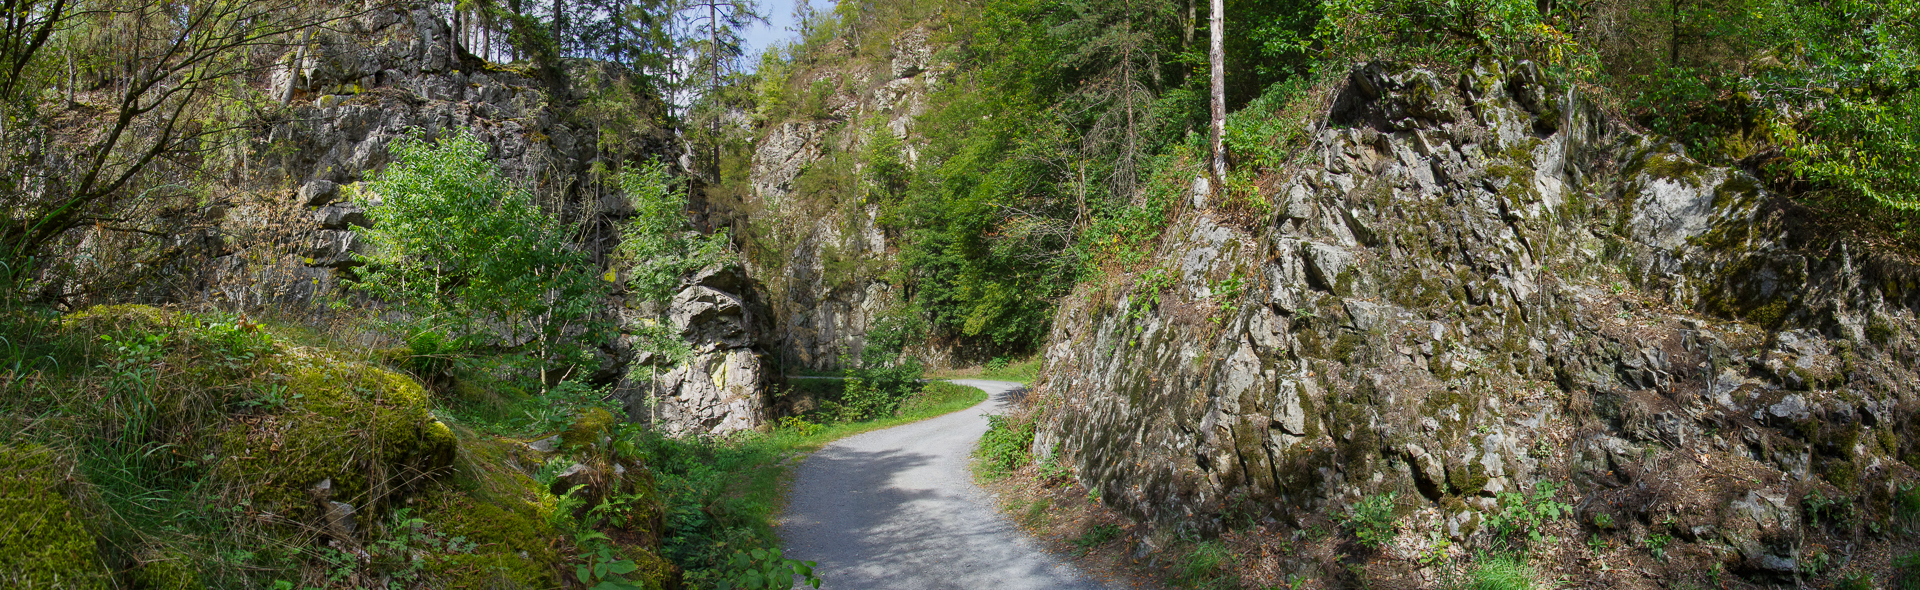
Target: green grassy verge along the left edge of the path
(723, 495)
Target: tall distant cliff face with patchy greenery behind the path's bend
(827, 278)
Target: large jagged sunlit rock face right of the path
(1479, 283)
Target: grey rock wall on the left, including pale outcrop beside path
(281, 232)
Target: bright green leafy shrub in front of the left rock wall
(462, 247)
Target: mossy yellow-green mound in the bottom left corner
(43, 541)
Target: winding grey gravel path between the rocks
(900, 508)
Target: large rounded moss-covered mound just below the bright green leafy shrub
(368, 431)
